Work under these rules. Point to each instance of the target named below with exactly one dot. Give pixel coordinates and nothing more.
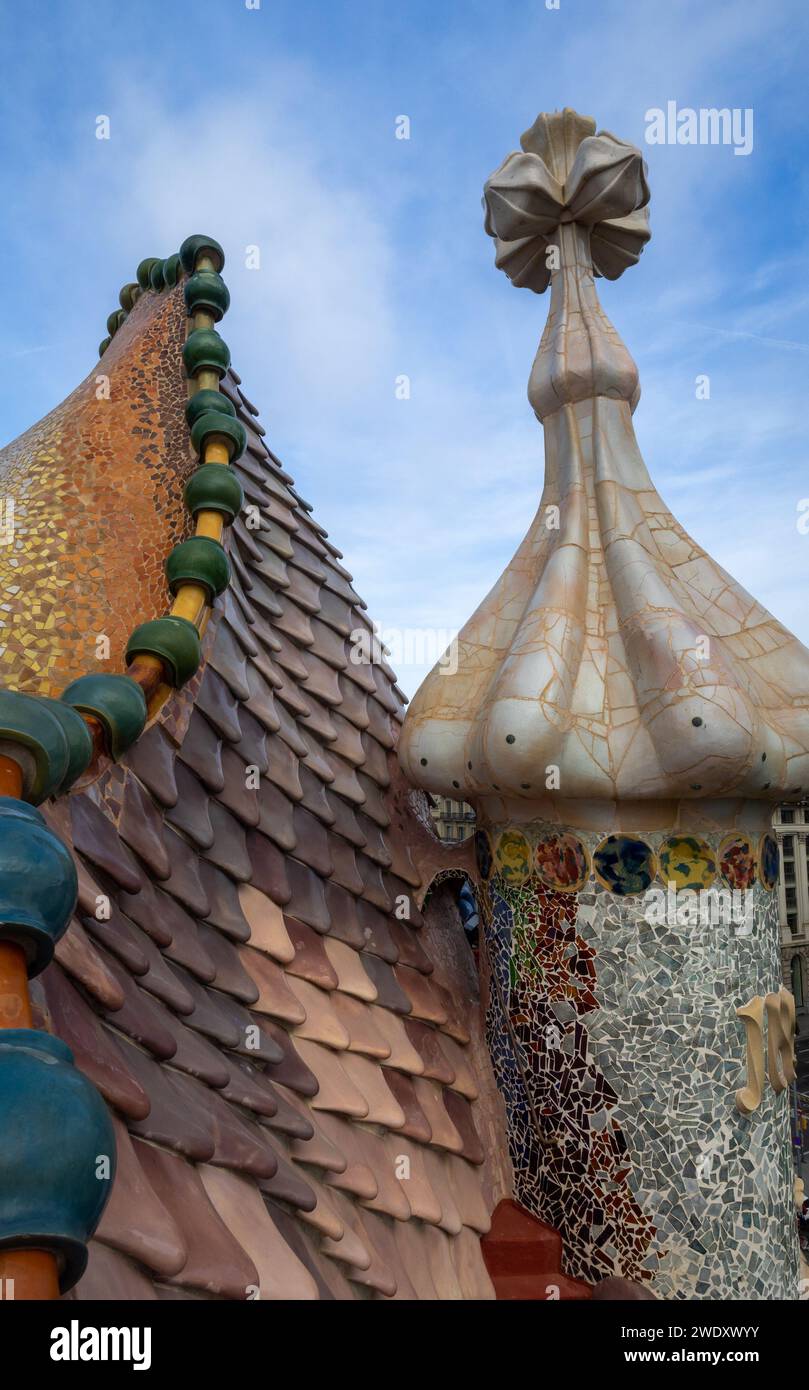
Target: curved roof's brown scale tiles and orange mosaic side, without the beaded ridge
(291, 1064)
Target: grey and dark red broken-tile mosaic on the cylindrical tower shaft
(618, 1050)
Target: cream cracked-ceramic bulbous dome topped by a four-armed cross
(612, 648)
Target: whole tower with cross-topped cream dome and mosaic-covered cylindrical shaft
(622, 717)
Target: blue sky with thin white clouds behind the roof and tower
(276, 127)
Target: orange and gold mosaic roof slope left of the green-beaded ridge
(98, 507)
